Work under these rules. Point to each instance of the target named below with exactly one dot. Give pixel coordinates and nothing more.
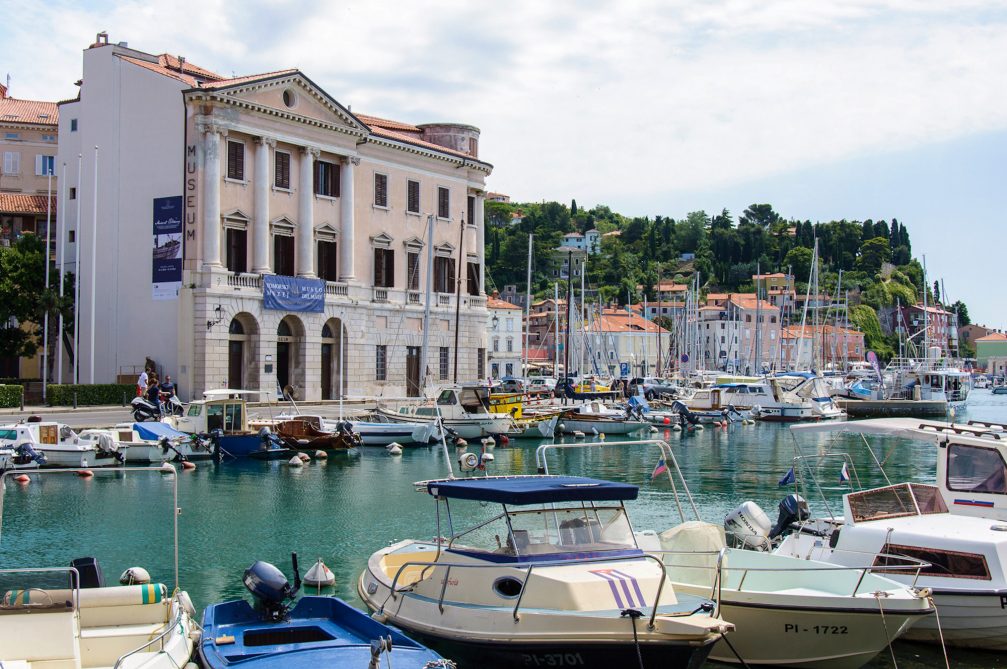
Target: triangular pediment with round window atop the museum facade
(287, 94)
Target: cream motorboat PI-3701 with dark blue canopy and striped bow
(552, 578)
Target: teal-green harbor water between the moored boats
(345, 509)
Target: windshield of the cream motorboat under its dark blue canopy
(552, 531)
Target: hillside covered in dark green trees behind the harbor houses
(876, 257)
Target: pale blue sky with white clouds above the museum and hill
(831, 109)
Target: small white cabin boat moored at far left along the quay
(62, 447)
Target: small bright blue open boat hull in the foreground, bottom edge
(320, 632)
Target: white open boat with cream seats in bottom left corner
(65, 618)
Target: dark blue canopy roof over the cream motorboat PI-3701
(533, 490)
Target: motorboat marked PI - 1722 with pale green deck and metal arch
(787, 612)
